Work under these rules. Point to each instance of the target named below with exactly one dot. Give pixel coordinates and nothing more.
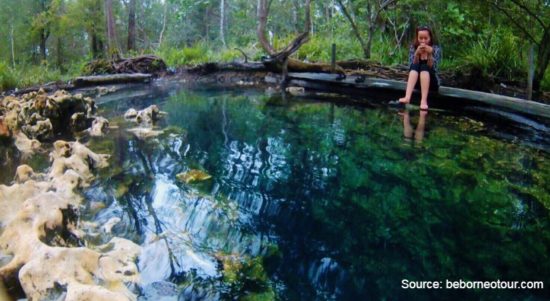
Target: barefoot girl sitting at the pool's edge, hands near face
(424, 58)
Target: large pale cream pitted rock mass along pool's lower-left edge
(36, 205)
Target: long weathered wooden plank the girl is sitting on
(460, 95)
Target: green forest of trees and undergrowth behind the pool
(50, 40)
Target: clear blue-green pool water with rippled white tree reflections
(312, 200)
